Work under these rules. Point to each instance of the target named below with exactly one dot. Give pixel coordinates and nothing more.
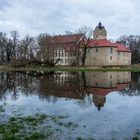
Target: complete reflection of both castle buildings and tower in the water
(79, 85)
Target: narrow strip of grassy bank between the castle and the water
(133, 68)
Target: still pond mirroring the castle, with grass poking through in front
(70, 105)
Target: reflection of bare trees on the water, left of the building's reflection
(12, 83)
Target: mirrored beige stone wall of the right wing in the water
(107, 79)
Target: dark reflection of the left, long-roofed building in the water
(60, 85)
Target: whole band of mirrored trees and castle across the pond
(85, 87)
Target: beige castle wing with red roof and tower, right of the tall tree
(103, 52)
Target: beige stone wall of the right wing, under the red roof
(107, 56)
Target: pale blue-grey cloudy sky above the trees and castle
(57, 16)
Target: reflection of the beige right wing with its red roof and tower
(102, 83)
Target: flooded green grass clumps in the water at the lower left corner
(36, 127)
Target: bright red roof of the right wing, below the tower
(107, 43)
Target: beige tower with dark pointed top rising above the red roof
(100, 32)
